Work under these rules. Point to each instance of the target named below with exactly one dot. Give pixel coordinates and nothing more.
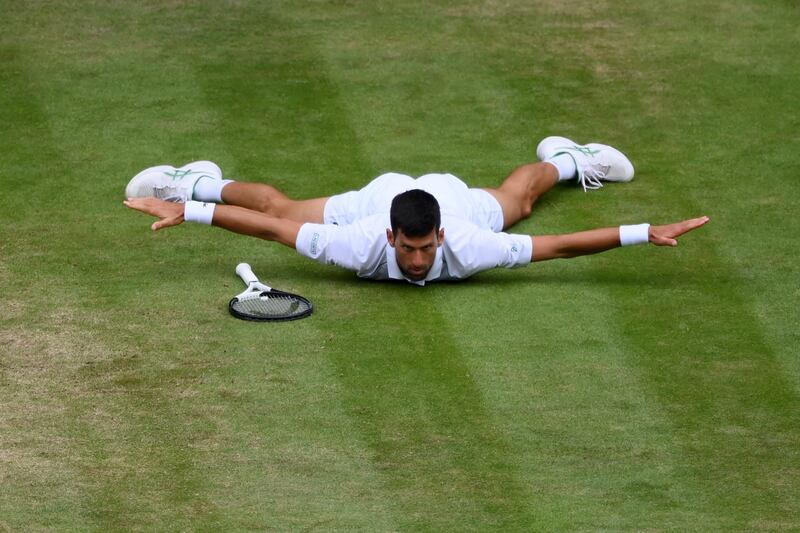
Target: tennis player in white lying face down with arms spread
(431, 228)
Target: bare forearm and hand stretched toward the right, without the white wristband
(599, 240)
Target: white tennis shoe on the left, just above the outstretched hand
(169, 183)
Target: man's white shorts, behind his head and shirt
(454, 197)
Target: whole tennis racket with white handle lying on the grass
(263, 303)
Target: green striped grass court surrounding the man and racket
(643, 389)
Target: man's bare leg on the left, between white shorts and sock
(267, 199)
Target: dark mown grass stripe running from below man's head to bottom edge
(411, 390)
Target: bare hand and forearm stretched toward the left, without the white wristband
(229, 217)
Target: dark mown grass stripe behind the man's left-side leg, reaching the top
(279, 114)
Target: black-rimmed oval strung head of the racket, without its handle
(270, 306)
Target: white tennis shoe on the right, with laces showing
(596, 162)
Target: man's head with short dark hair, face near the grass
(416, 232)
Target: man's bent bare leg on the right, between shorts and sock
(520, 190)
